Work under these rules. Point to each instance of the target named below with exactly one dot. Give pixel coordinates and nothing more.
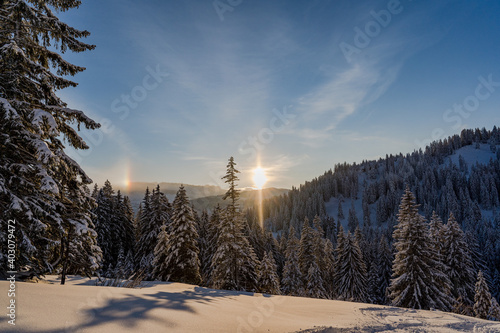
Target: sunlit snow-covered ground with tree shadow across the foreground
(79, 306)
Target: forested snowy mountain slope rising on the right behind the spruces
(460, 174)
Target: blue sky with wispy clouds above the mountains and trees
(295, 86)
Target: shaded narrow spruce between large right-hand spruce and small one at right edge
(459, 267)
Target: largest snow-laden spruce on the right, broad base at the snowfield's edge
(416, 283)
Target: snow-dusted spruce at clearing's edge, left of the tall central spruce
(182, 259)
